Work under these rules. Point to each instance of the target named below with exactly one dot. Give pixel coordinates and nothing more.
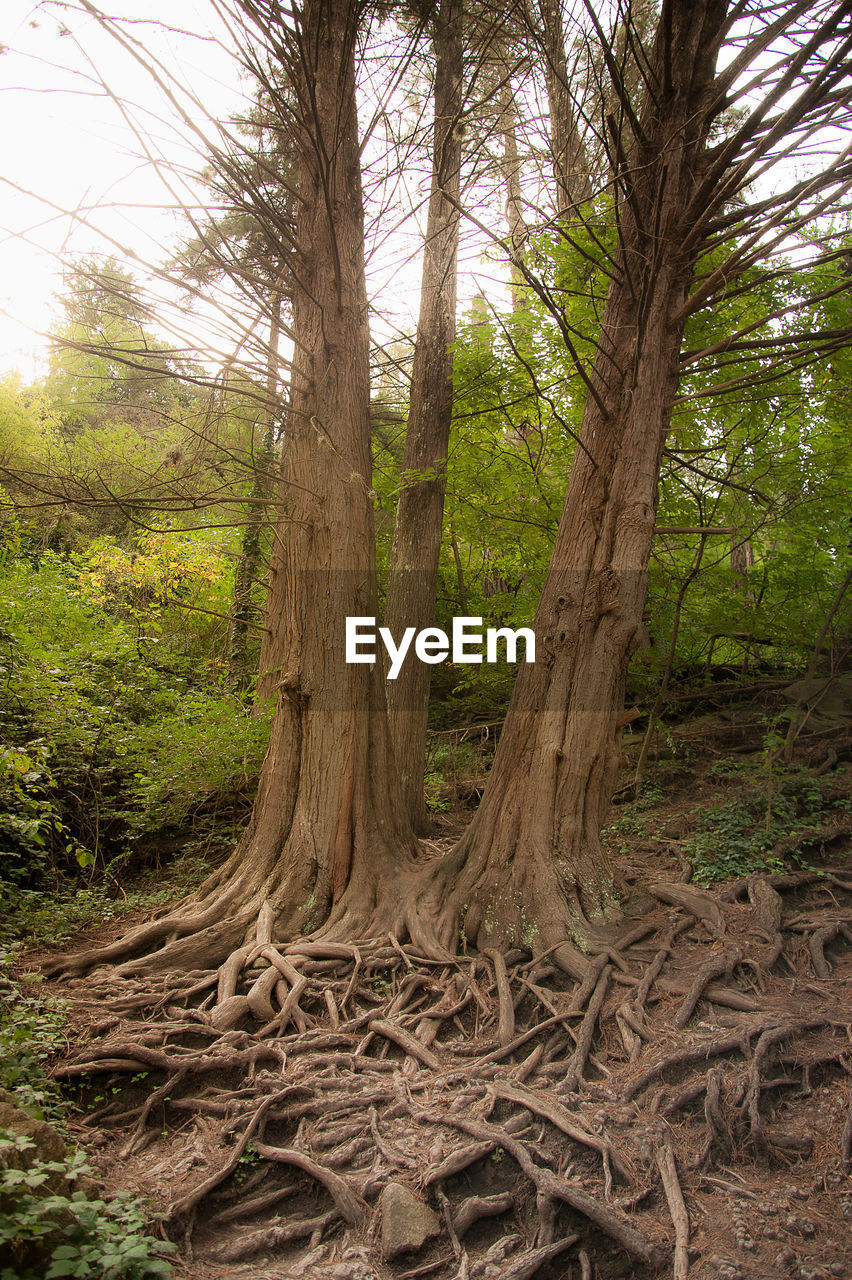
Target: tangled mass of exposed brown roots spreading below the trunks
(285, 1090)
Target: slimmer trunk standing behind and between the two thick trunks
(420, 513)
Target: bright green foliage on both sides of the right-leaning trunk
(771, 470)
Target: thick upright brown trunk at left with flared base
(329, 834)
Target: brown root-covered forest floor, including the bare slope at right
(688, 1109)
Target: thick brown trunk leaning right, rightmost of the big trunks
(532, 867)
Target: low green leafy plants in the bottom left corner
(63, 1233)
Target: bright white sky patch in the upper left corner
(62, 138)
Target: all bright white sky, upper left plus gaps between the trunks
(65, 139)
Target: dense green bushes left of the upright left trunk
(116, 737)
